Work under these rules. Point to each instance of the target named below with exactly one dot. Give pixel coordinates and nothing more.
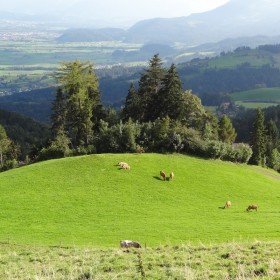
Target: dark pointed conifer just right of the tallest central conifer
(169, 97)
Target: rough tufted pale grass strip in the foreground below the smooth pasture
(256, 260)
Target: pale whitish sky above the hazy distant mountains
(115, 10)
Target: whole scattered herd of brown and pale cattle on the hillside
(135, 244)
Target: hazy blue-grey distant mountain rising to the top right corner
(237, 18)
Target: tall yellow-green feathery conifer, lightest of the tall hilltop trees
(82, 97)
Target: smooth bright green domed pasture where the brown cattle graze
(89, 201)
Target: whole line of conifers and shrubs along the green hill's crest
(158, 116)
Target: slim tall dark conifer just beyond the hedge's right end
(258, 140)
